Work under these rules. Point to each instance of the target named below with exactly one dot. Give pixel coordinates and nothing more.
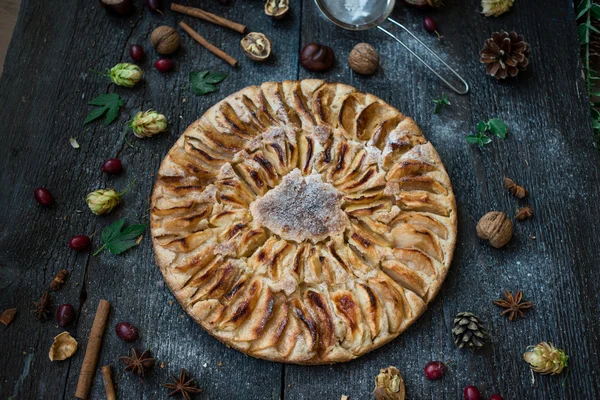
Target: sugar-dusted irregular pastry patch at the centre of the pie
(301, 209)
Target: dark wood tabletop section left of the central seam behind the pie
(45, 88)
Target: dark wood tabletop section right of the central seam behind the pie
(550, 150)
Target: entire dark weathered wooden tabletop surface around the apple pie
(550, 150)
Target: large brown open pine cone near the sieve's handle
(505, 54)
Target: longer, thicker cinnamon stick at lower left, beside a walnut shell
(86, 375)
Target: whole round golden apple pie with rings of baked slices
(303, 221)
